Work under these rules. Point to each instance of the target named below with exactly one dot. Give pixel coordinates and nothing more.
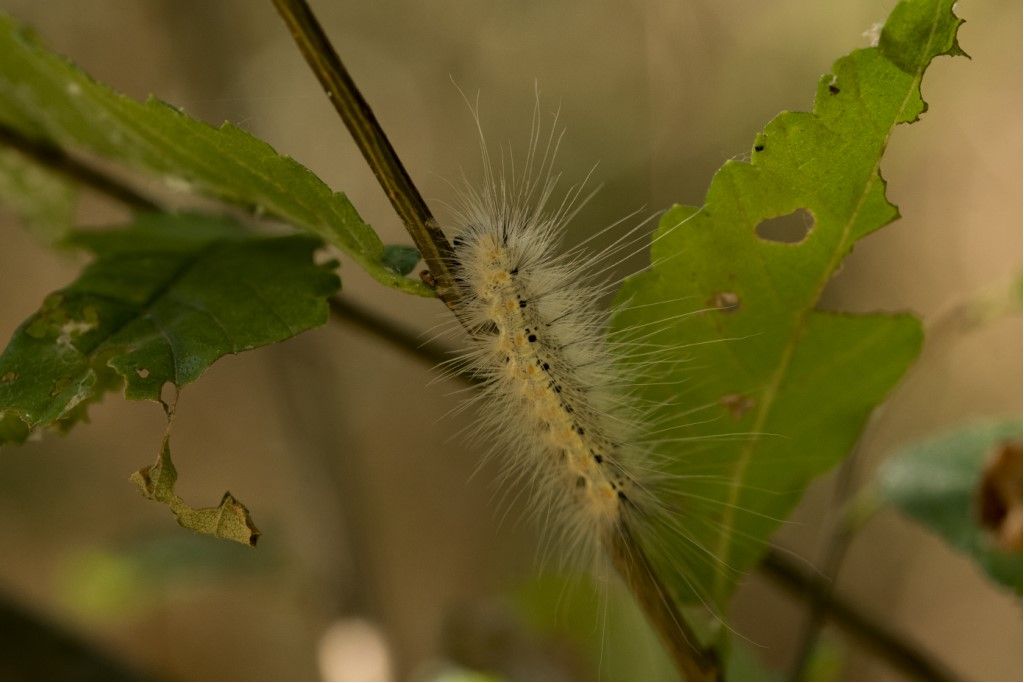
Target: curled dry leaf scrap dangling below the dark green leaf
(229, 521)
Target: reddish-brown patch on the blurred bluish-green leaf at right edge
(999, 497)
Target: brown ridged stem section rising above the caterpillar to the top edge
(374, 145)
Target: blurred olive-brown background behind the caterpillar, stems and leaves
(382, 557)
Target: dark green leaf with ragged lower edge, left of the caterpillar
(164, 300)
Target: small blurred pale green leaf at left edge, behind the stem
(44, 201)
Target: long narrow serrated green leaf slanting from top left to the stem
(45, 97)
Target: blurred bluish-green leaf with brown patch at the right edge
(954, 485)
